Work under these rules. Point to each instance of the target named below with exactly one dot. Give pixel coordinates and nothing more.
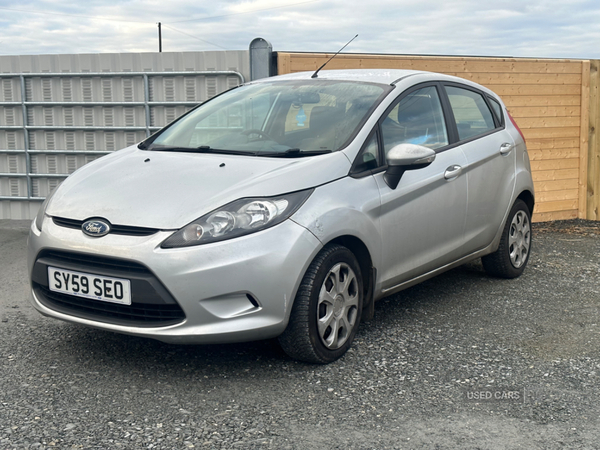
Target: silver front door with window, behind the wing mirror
(422, 220)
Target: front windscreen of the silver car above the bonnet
(279, 118)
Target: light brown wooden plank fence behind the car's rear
(554, 102)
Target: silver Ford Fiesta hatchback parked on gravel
(284, 208)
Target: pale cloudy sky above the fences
(519, 28)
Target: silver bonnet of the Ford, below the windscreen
(167, 190)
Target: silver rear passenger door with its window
(491, 162)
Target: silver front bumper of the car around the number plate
(231, 291)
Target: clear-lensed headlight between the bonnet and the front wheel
(238, 218)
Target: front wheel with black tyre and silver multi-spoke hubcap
(327, 308)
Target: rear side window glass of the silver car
(471, 112)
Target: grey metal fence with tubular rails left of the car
(59, 112)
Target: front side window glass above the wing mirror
(416, 119)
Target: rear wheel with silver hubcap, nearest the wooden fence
(510, 259)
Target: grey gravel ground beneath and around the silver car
(407, 383)
